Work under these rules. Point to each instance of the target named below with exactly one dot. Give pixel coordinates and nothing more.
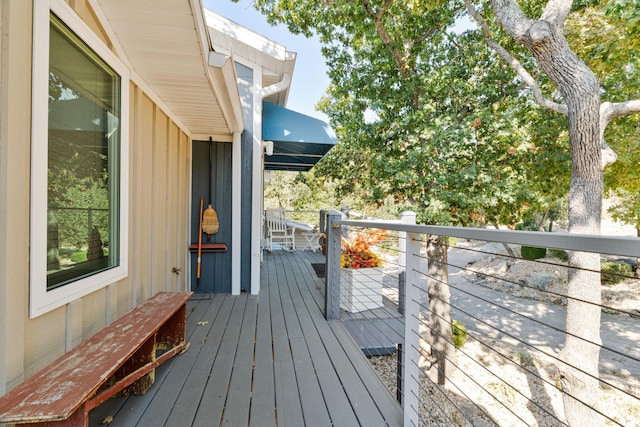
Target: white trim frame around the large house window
(42, 301)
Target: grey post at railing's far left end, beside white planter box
(332, 279)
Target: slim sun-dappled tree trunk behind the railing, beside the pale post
(442, 349)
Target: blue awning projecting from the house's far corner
(299, 141)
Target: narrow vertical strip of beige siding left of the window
(14, 187)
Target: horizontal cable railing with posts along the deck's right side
(467, 328)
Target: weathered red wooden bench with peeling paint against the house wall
(121, 358)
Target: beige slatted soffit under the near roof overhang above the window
(167, 45)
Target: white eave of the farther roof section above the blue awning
(237, 41)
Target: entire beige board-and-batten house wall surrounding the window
(159, 168)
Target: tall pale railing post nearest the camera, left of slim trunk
(410, 349)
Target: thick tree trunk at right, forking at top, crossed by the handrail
(580, 89)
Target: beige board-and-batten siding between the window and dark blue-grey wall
(159, 165)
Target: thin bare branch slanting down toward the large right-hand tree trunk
(514, 63)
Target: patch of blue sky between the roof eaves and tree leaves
(309, 80)
